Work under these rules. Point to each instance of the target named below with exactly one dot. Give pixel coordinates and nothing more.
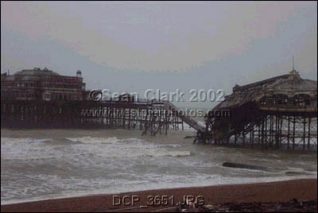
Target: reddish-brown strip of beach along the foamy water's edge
(282, 191)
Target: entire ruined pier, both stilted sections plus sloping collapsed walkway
(279, 113)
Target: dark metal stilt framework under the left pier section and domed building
(149, 116)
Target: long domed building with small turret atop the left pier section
(41, 84)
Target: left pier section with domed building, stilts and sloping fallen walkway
(41, 98)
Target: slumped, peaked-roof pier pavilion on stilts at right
(279, 113)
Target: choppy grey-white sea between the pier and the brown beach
(41, 164)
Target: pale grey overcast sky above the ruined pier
(132, 46)
